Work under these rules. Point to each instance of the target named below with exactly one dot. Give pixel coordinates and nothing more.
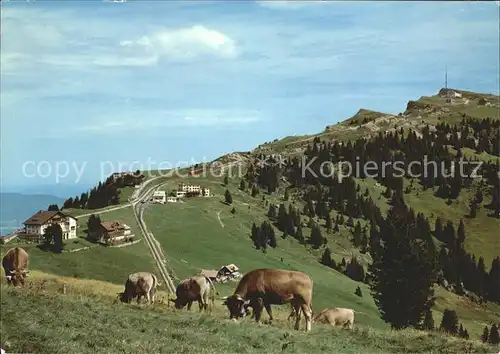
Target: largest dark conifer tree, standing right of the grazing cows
(403, 273)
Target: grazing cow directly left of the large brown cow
(196, 288)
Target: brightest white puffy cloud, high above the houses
(186, 43)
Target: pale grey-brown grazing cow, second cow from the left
(140, 284)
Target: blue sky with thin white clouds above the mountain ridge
(89, 85)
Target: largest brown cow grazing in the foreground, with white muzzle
(266, 287)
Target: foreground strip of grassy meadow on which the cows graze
(87, 319)
